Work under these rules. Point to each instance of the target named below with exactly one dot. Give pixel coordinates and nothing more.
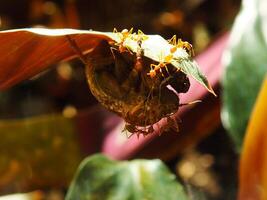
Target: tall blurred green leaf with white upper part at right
(245, 62)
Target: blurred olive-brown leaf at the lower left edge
(30, 149)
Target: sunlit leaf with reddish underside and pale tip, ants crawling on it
(26, 52)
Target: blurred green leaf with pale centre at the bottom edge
(101, 178)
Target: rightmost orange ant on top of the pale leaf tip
(181, 44)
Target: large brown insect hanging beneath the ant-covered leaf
(119, 81)
